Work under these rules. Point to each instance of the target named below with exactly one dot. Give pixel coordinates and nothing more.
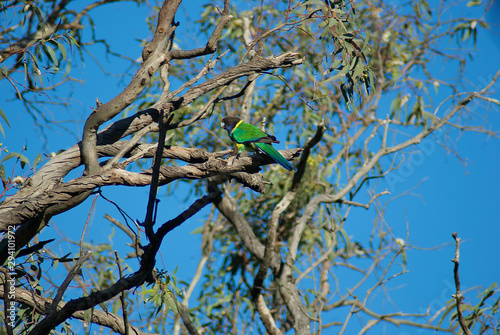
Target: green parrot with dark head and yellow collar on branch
(251, 138)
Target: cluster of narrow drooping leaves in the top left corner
(40, 47)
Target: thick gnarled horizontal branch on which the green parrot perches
(35, 211)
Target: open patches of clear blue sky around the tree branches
(446, 196)
